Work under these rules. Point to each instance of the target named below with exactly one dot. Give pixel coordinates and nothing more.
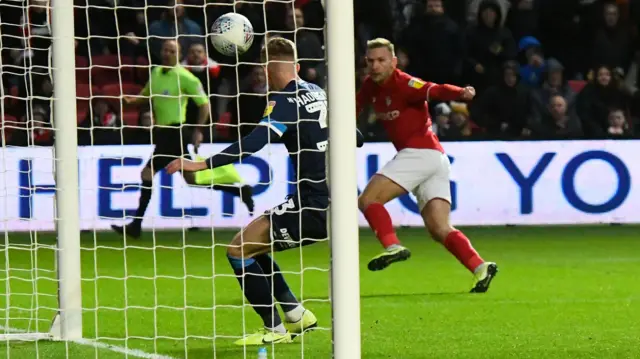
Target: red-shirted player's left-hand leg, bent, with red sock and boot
(379, 191)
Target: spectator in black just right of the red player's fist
(503, 109)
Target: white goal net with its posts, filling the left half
(75, 145)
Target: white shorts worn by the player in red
(423, 172)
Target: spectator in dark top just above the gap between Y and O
(557, 122)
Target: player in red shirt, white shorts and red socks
(420, 166)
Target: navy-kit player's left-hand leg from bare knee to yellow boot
(248, 244)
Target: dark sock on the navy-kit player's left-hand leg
(256, 289)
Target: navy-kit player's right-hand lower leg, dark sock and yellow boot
(297, 319)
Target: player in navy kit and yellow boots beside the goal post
(296, 115)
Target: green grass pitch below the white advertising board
(563, 292)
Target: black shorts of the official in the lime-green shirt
(170, 143)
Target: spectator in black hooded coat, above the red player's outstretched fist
(489, 45)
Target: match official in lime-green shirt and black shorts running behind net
(170, 88)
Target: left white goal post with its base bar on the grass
(67, 323)
